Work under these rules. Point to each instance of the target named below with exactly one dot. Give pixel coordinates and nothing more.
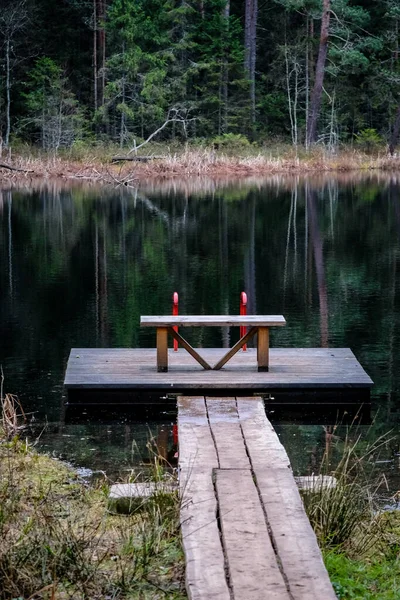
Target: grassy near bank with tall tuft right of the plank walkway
(360, 541)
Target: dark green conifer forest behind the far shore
(304, 72)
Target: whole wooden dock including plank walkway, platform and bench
(245, 532)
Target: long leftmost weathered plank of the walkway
(205, 562)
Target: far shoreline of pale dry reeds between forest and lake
(190, 164)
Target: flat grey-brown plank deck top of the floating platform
(291, 369)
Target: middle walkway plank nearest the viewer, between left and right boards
(253, 569)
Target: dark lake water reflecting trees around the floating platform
(79, 265)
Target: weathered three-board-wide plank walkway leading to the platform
(245, 533)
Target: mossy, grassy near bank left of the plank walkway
(59, 541)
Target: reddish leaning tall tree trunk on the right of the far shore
(316, 95)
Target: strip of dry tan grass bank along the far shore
(95, 163)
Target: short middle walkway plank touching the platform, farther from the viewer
(227, 434)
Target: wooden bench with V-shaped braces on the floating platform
(259, 324)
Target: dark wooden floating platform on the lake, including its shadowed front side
(306, 375)
